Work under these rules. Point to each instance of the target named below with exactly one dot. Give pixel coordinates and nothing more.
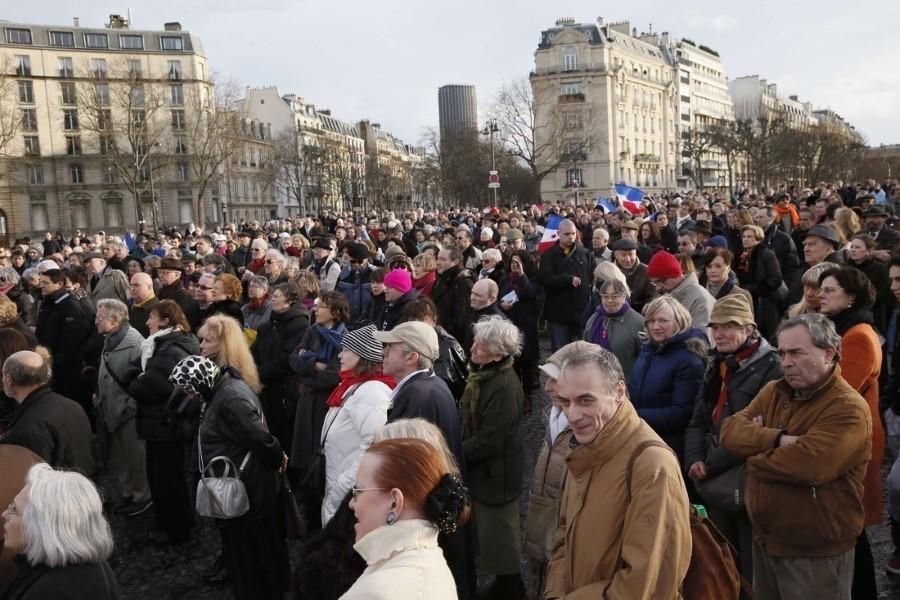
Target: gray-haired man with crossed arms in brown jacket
(807, 438)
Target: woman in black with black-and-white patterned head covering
(253, 544)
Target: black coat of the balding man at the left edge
(53, 427)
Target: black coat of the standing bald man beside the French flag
(565, 303)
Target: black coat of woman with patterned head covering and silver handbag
(232, 427)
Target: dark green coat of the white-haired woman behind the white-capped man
(492, 435)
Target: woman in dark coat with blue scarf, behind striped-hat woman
(317, 366)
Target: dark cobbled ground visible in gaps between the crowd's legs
(146, 572)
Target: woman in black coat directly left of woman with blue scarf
(275, 341)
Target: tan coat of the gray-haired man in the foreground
(607, 547)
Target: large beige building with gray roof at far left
(100, 120)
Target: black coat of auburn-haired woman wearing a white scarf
(151, 389)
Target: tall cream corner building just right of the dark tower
(606, 108)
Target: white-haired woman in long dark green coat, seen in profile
(492, 407)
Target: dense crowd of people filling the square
(366, 380)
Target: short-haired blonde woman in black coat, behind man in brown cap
(759, 273)
